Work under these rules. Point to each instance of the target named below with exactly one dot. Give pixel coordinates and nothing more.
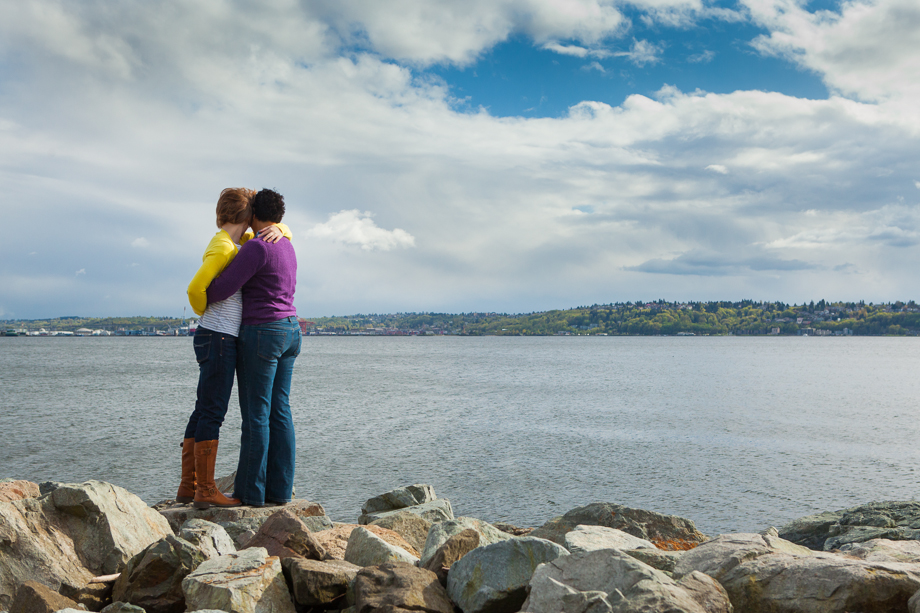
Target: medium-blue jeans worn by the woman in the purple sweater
(267, 447)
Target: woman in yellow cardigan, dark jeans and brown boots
(215, 348)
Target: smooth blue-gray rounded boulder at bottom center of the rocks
(493, 579)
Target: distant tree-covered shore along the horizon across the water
(745, 317)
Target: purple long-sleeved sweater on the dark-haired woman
(267, 272)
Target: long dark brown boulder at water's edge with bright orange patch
(667, 532)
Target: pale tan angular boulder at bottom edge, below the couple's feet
(249, 581)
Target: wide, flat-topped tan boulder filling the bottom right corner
(819, 583)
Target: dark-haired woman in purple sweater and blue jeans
(267, 345)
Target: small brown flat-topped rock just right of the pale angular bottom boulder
(316, 584)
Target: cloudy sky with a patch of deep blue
(458, 156)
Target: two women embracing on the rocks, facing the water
(244, 293)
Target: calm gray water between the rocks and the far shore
(735, 433)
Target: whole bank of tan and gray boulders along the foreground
(97, 547)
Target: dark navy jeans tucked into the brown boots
(216, 355)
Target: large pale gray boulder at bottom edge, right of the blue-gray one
(609, 580)
